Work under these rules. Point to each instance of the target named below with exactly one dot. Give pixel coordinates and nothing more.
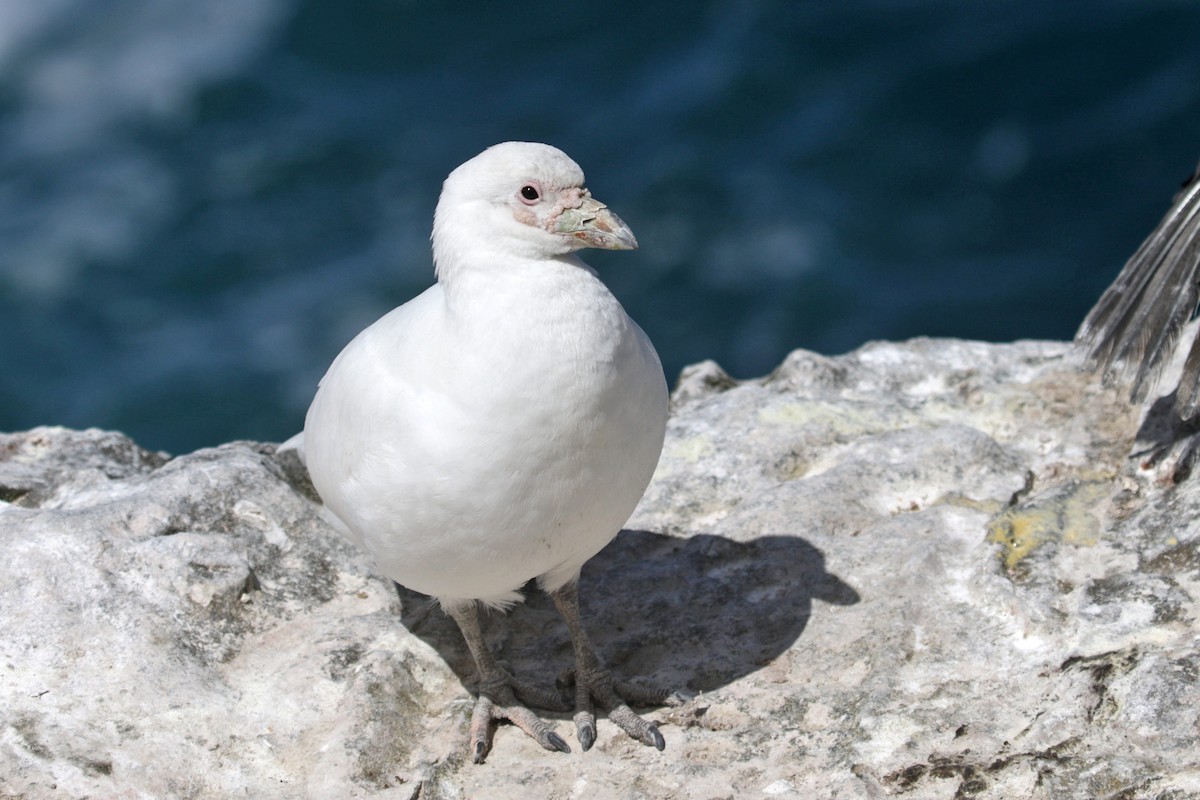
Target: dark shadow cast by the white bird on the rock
(689, 613)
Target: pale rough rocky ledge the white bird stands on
(920, 570)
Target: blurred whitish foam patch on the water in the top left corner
(85, 79)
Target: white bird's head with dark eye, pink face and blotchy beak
(521, 199)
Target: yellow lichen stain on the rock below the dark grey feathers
(1069, 516)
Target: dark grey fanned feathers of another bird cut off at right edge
(1133, 329)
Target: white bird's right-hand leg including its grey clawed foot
(593, 682)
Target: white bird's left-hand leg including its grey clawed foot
(499, 694)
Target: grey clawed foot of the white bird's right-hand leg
(597, 687)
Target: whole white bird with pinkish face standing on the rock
(501, 426)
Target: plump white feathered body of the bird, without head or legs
(494, 432)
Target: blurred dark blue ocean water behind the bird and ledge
(201, 203)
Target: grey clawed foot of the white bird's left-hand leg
(499, 700)
